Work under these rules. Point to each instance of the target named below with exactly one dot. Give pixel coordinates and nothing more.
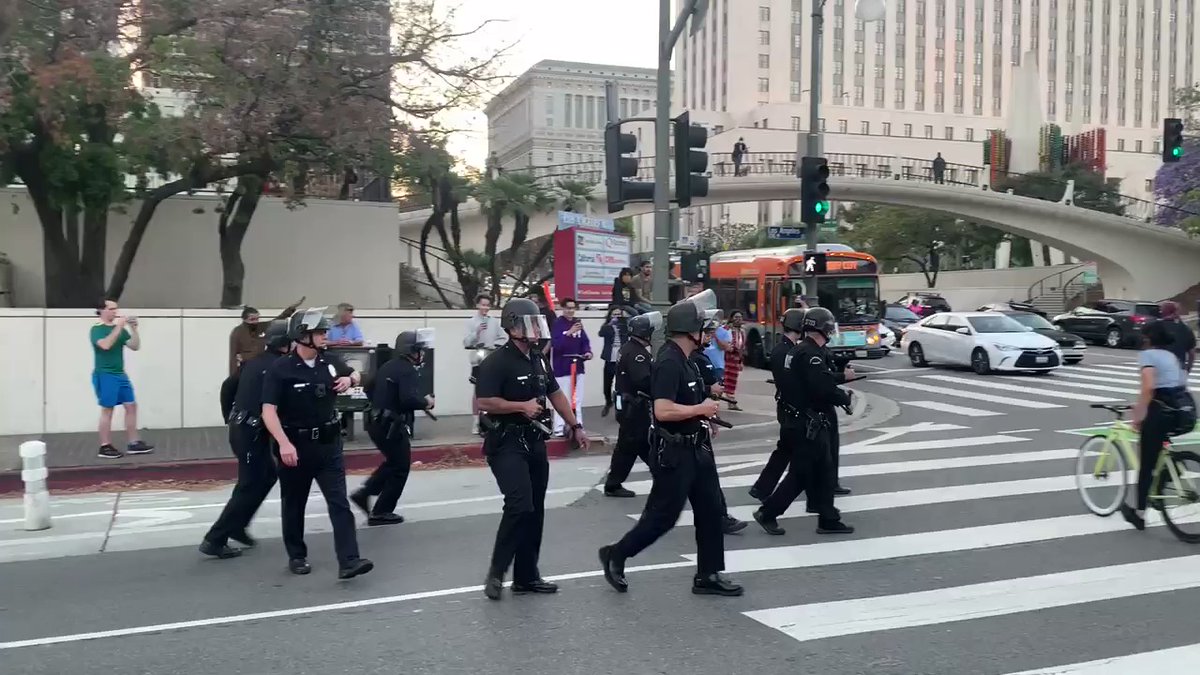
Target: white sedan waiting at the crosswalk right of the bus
(986, 342)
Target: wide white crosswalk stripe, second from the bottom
(994, 599)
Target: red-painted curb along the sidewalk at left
(226, 469)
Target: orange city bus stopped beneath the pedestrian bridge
(765, 283)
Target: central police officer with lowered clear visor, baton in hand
(514, 391)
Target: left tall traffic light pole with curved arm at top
(669, 34)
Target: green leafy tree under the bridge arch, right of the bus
(916, 238)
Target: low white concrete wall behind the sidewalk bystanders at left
(178, 372)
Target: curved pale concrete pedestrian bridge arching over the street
(1135, 259)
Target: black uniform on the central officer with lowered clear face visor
(517, 455)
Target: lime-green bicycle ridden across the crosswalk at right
(1108, 463)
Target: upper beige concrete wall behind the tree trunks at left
(331, 252)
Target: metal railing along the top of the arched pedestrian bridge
(723, 166)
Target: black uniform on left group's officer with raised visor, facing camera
(304, 397)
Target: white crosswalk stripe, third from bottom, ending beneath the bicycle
(845, 552)
